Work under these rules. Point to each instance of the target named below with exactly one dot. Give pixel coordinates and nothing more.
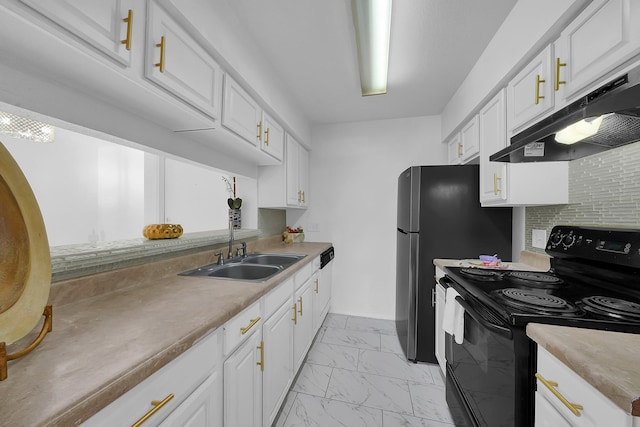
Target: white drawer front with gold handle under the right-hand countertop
(597, 410)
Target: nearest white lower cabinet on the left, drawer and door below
(187, 391)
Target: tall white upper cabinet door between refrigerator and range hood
(493, 175)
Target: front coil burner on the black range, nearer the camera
(538, 301)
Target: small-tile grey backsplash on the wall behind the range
(604, 190)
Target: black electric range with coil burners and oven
(594, 282)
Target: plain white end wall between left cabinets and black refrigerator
(354, 172)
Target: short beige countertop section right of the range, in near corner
(606, 360)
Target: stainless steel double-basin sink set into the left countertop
(256, 267)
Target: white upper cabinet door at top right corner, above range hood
(602, 37)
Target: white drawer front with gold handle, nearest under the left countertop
(179, 378)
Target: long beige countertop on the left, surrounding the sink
(113, 330)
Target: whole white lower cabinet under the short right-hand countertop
(563, 398)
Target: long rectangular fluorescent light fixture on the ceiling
(372, 23)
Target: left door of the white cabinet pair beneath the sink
(277, 333)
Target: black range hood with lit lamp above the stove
(611, 111)
